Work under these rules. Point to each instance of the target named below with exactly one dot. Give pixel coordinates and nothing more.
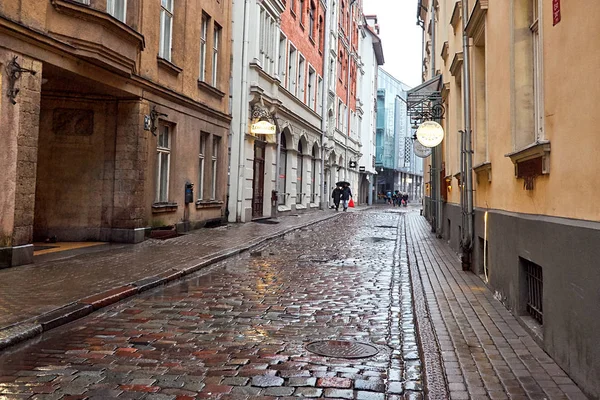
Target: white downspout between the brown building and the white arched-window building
(243, 114)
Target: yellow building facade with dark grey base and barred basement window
(522, 94)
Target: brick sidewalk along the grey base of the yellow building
(485, 353)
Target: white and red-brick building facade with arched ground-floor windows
(288, 78)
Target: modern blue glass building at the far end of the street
(398, 168)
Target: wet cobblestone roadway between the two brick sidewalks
(239, 329)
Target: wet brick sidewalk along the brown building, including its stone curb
(38, 297)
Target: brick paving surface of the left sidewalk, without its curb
(32, 290)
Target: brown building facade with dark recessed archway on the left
(110, 112)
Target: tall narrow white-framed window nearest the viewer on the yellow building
(537, 71)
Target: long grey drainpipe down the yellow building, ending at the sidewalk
(467, 246)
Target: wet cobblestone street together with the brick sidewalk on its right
(240, 328)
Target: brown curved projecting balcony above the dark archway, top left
(96, 36)
